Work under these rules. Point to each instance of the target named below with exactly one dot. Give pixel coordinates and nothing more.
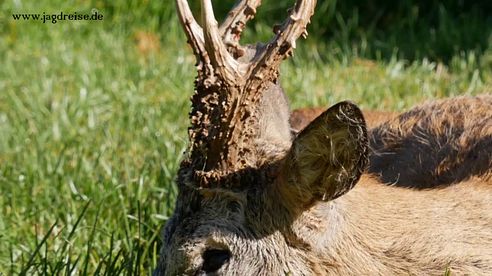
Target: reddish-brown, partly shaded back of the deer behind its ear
(438, 143)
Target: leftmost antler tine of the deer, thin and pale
(193, 31)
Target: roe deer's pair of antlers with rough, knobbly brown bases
(223, 114)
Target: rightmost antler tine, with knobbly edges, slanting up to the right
(265, 66)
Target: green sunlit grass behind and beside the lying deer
(92, 130)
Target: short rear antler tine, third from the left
(233, 25)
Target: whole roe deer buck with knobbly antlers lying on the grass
(254, 200)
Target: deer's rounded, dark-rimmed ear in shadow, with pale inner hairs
(328, 157)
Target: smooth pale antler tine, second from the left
(225, 65)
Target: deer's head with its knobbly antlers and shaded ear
(246, 185)
